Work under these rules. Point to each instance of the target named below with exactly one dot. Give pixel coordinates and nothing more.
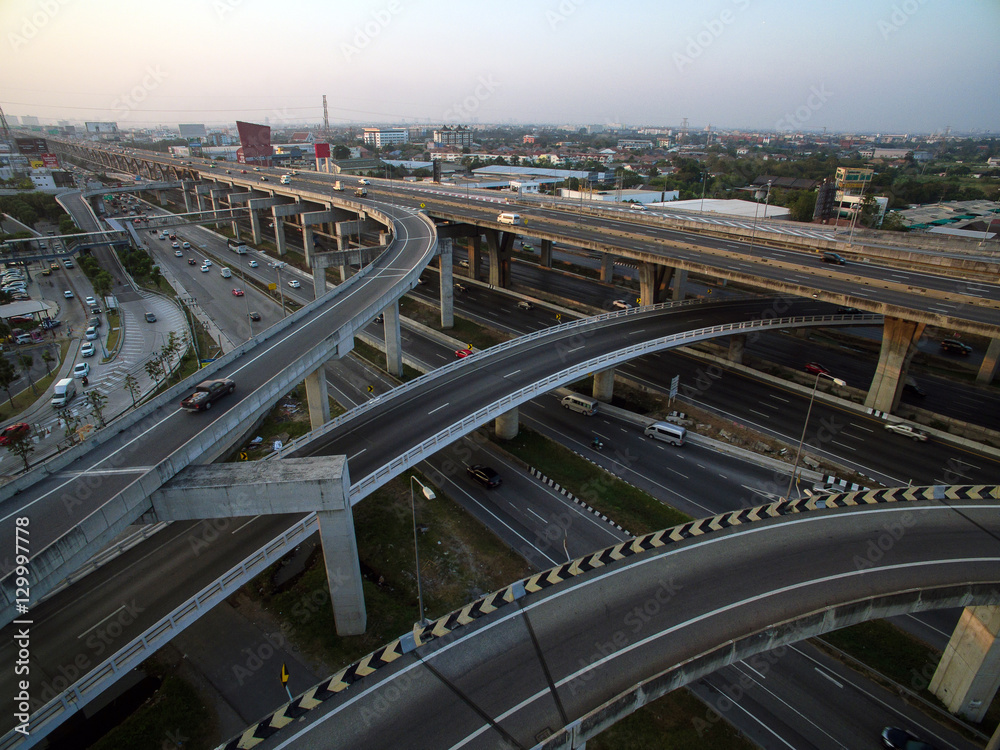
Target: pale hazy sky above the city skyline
(850, 65)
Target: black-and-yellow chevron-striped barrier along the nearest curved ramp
(447, 625)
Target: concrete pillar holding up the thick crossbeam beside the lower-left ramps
(343, 572)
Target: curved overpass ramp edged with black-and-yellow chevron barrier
(554, 659)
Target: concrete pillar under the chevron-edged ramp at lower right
(968, 674)
